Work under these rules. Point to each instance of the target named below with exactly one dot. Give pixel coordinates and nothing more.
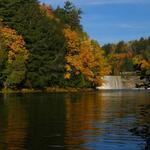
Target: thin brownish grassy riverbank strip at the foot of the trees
(46, 90)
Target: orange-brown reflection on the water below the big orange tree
(81, 112)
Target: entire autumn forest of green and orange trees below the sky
(43, 47)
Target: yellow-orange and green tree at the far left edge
(13, 50)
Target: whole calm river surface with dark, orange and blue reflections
(71, 121)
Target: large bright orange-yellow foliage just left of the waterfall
(85, 58)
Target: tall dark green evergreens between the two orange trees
(45, 41)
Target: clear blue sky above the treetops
(110, 21)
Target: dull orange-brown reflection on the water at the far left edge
(13, 124)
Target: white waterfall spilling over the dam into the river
(111, 82)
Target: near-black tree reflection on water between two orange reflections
(46, 121)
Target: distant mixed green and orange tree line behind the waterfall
(132, 56)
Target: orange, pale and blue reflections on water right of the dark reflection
(101, 120)
